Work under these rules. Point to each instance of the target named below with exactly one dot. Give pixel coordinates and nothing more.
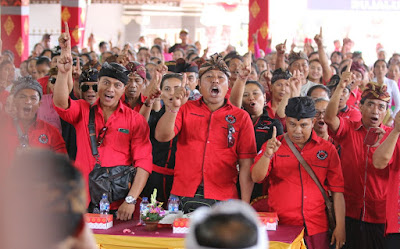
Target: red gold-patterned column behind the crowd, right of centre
(258, 20)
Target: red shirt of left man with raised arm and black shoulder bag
(126, 141)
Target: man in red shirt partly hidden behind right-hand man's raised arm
(344, 110)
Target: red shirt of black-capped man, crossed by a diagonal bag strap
(292, 193)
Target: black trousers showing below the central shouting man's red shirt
(189, 204)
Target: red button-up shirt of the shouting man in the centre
(203, 154)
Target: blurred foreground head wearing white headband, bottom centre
(231, 224)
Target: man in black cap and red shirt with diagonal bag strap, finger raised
(292, 193)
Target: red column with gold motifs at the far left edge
(15, 28)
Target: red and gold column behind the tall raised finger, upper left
(76, 19)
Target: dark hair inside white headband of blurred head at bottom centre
(226, 231)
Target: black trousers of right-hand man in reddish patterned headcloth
(364, 235)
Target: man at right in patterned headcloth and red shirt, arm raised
(365, 186)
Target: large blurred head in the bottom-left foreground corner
(44, 203)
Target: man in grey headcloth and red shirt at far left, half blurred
(23, 129)
